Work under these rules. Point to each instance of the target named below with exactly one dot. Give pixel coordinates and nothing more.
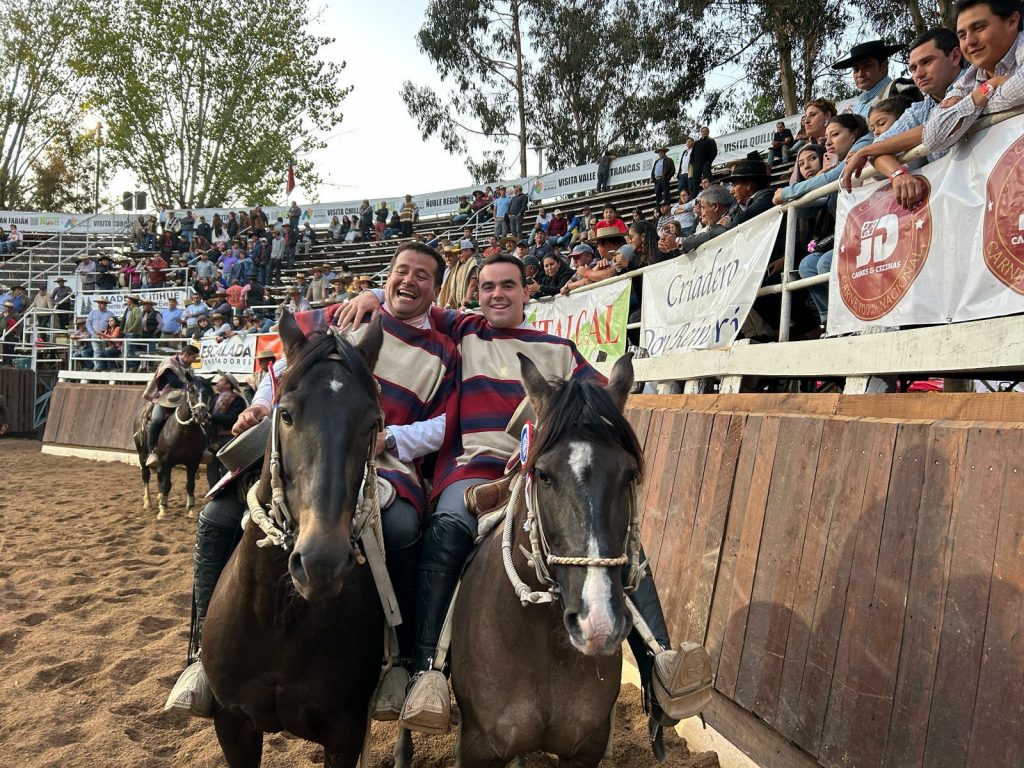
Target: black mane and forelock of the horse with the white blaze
(582, 408)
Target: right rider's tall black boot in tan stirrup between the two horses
(429, 705)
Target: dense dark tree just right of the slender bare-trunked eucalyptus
(614, 76)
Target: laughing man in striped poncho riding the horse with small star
(415, 371)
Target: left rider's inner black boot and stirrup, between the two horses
(402, 568)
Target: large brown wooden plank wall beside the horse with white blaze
(858, 581)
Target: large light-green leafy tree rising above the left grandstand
(207, 102)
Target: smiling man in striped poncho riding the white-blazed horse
(476, 450)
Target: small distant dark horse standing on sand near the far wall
(185, 437)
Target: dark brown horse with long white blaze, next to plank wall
(546, 677)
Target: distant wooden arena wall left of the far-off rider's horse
(97, 416)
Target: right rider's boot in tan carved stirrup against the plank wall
(679, 679)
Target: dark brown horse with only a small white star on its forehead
(294, 641)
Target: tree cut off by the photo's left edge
(41, 91)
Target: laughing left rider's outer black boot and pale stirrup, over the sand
(215, 545)
